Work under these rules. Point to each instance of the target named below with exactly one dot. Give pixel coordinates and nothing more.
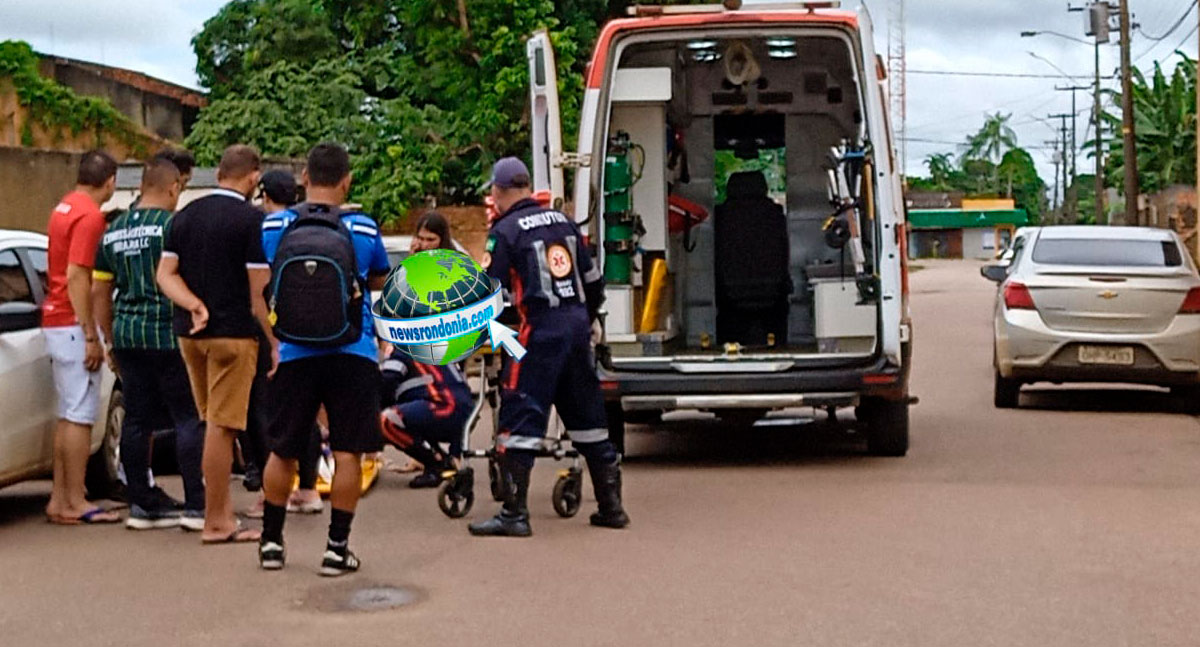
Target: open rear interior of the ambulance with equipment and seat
(747, 226)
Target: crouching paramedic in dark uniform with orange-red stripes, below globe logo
(425, 408)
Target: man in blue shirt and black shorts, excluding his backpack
(345, 381)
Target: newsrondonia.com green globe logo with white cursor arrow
(439, 308)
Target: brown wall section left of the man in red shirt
(32, 183)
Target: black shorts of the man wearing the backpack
(349, 387)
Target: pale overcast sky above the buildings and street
(154, 37)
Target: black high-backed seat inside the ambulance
(752, 265)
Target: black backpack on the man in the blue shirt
(316, 293)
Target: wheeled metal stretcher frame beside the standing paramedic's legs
(457, 495)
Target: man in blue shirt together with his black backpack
(325, 262)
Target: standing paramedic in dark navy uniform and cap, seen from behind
(539, 257)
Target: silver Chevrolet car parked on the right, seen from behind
(1099, 304)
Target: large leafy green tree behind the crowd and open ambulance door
(425, 93)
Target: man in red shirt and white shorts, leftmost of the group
(71, 339)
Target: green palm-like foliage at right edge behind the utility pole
(1165, 117)
